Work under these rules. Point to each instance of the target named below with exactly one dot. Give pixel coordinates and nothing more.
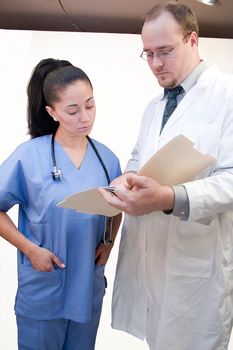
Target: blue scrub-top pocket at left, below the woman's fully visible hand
(42, 287)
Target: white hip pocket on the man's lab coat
(192, 247)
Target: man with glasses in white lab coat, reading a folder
(174, 279)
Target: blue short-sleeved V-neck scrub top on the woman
(25, 179)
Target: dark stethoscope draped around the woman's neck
(57, 176)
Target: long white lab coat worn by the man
(174, 279)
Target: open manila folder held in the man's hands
(175, 163)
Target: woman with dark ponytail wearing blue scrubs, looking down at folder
(61, 255)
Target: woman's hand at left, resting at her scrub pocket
(43, 260)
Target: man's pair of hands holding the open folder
(139, 195)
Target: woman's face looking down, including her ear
(75, 110)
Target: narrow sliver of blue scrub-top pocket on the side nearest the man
(99, 285)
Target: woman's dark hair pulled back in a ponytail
(49, 77)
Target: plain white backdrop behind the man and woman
(123, 85)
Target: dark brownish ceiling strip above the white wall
(108, 16)
